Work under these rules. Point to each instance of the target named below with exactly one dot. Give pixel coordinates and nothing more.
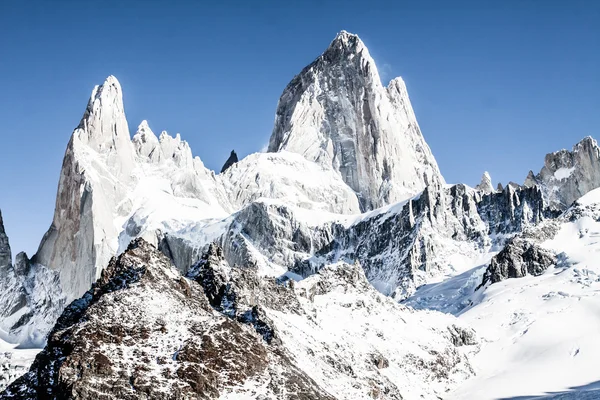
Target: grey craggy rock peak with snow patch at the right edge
(568, 175)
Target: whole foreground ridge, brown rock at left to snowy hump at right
(234, 335)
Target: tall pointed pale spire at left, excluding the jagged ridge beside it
(95, 174)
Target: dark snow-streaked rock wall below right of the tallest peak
(401, 248)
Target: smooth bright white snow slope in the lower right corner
(539, 329)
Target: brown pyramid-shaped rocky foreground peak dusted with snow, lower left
(126, 323)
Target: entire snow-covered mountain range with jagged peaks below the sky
(286, 269)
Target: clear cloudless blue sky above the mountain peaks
(495, 84)
